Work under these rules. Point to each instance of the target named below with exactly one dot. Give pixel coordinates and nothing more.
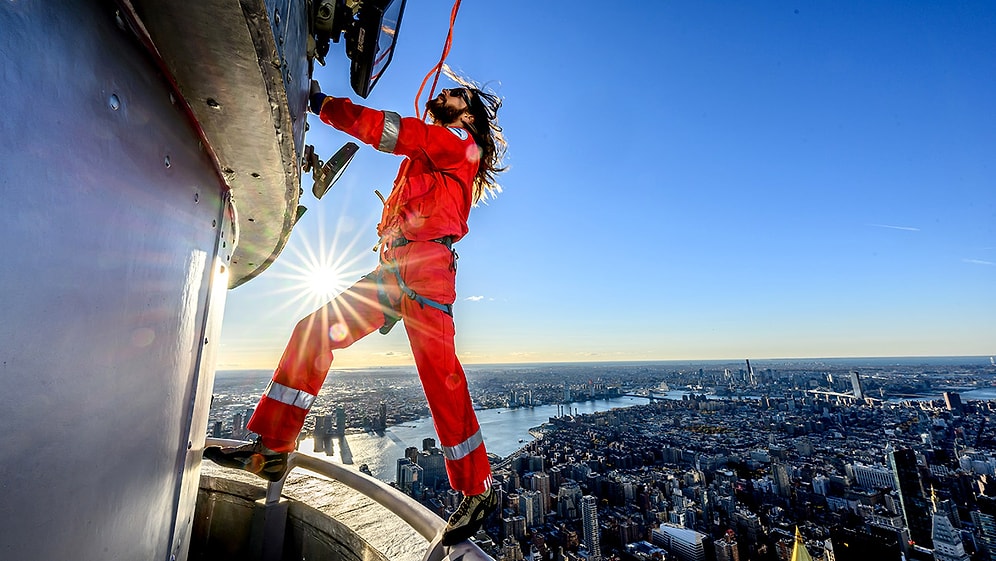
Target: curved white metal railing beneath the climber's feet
(420, 518)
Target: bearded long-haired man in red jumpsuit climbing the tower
(450, 164)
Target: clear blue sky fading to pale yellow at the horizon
(688, 180)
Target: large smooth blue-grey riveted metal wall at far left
(111, 214)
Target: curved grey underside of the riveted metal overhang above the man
(245, 78)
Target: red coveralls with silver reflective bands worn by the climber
(431, 199)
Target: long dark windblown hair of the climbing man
(488, 135)
